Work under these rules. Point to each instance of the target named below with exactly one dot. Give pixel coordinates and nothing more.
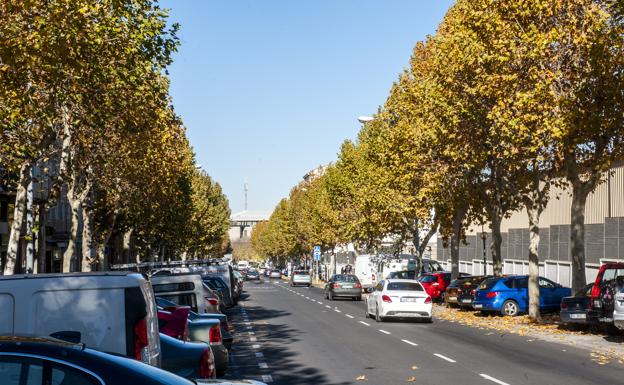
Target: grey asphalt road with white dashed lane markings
(295, 336)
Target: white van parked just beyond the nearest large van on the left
(183, 289)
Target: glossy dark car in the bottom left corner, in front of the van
(57, 362)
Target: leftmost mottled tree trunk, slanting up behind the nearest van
(18, 218)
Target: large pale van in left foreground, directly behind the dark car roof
(112, 312)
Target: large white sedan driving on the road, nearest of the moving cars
(398, 298)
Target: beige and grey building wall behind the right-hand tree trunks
(604, 234)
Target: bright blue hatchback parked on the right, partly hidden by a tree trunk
(509, 295)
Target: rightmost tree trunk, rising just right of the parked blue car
(577, 236)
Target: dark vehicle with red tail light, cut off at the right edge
(604, 291)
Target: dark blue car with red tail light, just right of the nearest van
(190, 360)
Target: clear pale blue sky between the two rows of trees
(268, 90)
